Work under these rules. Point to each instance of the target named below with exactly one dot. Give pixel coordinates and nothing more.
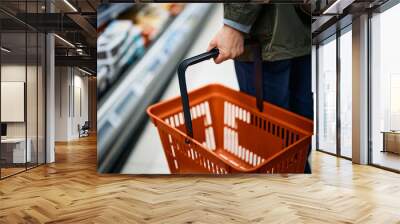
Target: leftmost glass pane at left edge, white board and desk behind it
(14, 153)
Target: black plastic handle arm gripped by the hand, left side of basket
(182, 84)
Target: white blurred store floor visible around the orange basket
(147, 157)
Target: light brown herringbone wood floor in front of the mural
(70, 191)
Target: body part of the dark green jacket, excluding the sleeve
(282, 33)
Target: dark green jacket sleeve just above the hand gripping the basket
(241, 16)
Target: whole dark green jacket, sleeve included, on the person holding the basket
(283, 31)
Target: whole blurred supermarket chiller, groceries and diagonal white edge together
(139, 52)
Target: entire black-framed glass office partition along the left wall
(22, 101)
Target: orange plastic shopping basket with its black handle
(226, 133)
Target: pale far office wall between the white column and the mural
(70, 83)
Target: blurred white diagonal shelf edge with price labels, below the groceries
(121, 113)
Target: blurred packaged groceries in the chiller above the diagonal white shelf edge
(124, 39)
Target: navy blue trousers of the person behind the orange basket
(286, 83)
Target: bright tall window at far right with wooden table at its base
(385, 89)
